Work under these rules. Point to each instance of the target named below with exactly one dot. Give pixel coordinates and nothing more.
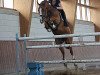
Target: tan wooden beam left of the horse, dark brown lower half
(25, 13)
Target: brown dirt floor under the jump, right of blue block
(74, 72)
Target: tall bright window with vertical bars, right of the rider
(83, 10)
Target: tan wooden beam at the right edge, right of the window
(95, 15)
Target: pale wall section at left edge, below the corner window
(9, 24)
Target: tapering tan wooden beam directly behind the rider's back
(70, 6)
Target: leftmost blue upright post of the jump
(17, 55)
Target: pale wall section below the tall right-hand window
(82, 27)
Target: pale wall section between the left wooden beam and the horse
(37, 29)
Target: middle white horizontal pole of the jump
(64, 45)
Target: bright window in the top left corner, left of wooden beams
(6, 3)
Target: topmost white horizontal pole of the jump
(59, 36)
